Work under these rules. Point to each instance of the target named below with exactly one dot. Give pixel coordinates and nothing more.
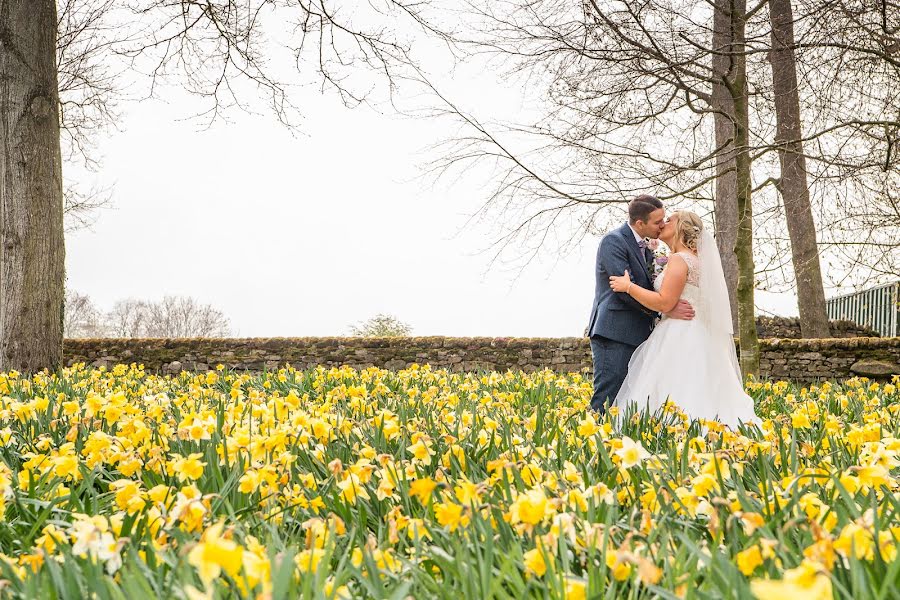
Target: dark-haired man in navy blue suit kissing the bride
(619, 324)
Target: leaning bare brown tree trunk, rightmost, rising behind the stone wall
(793, 185)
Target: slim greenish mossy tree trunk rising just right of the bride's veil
(737, 86)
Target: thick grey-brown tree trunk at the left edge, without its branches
(32, 247)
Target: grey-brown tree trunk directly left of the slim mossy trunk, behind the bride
(726, 178)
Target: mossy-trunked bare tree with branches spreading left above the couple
(630, 111)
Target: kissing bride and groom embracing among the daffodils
(666, 337)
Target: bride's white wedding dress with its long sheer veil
(694, 362)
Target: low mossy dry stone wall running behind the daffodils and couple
(800, 360)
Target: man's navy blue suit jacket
(616, 315)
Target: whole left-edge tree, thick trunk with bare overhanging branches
(221, 51)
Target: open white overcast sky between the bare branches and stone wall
(308, 234)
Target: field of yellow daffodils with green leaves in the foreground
(428, 484)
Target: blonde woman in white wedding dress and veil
(693, 363)
